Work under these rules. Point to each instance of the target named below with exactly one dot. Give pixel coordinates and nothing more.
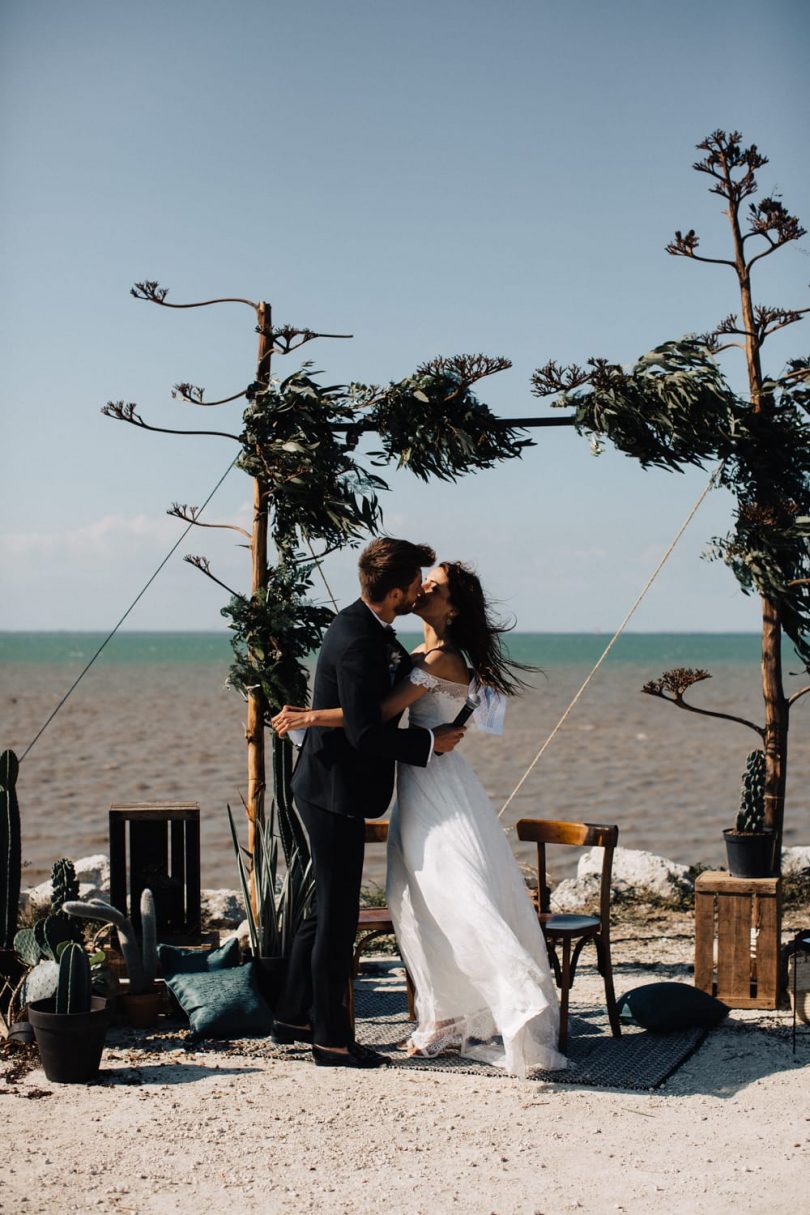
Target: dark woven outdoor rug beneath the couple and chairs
(637, 1060)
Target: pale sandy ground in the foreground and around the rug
(214, 1131)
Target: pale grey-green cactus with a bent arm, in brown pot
(141, 1001)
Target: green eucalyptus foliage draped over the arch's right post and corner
(675, 409)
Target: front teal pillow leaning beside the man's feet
(223, 1004)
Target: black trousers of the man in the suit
(321, 959)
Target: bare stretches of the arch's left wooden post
(256, 731)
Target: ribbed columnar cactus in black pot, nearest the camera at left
(71, 1026)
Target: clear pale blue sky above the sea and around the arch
(433, 178)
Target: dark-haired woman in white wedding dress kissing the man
(465, 924)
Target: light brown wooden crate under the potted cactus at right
(738, 939)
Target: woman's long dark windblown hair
(477, 632)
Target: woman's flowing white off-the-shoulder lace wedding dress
(466, 926)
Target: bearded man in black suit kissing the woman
(344, 777)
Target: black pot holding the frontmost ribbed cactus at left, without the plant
(70, 1043)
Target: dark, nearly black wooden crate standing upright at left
(157, 845)
